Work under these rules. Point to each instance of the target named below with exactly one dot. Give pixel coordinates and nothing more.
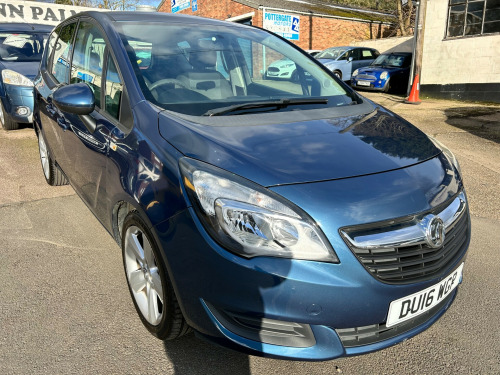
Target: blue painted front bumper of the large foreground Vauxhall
(213, 285)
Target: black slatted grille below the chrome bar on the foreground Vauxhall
(411, 263)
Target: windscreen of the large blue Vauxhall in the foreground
(196, 69)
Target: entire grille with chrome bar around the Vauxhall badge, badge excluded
(410, 257)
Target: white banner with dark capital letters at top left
(37, 12)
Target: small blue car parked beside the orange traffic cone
(389, 72)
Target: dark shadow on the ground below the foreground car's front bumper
(190, 355)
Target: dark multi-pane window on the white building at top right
(473, 17)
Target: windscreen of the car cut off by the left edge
(22, 46)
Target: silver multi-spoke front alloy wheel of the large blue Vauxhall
(143, 275)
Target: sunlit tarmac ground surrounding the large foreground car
(65, 307)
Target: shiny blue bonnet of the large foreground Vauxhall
(300, 146)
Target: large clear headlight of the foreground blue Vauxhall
(250, 220)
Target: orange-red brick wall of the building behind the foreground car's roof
(325, 32)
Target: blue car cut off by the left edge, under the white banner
(21, 47)
